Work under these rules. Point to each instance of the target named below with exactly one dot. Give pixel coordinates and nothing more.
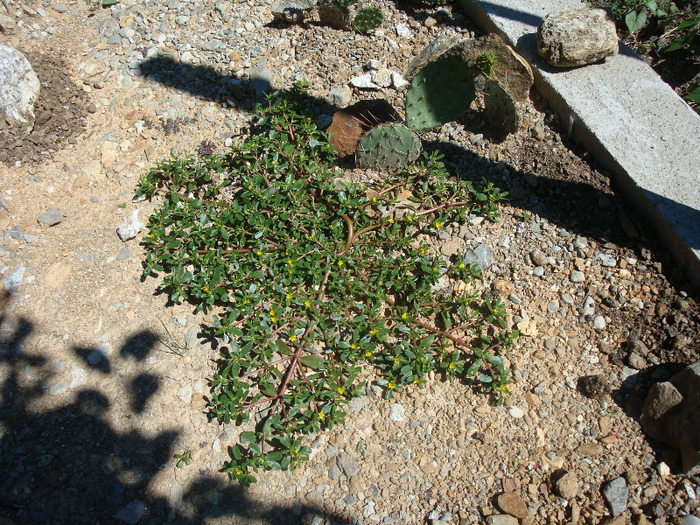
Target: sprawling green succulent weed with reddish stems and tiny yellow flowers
(316, 282)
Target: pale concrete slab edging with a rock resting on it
(625, 115)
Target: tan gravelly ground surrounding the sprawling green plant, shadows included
(103, 382)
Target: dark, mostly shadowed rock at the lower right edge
(672, 413)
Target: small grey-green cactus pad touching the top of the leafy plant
(387, 147)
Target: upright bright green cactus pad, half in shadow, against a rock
(440, 92)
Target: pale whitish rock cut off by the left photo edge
(19, 87)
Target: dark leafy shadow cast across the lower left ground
(70, 465)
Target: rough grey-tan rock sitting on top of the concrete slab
(576, 37)
